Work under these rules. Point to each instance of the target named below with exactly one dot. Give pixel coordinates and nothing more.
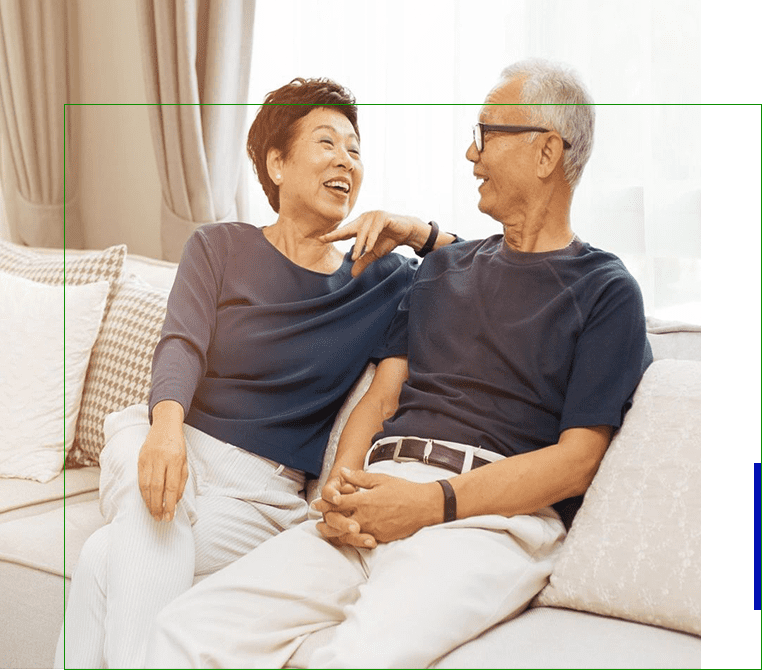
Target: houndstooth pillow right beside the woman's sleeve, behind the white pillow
(120, 365)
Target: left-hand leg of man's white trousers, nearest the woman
(256, 612)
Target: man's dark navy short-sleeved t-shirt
(508, 349)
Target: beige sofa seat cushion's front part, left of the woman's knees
(37, 542)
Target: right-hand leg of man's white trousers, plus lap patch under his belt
(442, 586)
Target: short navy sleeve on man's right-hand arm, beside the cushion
(610, 357)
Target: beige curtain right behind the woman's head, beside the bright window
(196, 61)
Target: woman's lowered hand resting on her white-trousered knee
(162, 463)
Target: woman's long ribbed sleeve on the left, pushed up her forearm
(179, 360)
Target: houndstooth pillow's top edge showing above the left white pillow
(49, 268)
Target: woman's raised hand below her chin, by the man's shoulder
(377, 233)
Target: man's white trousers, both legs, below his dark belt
(402, 604)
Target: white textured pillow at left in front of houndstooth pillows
(40, 390)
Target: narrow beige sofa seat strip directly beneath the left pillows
(24, 497)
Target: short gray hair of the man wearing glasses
(557, 100)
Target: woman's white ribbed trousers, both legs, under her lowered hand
(134, 566)
